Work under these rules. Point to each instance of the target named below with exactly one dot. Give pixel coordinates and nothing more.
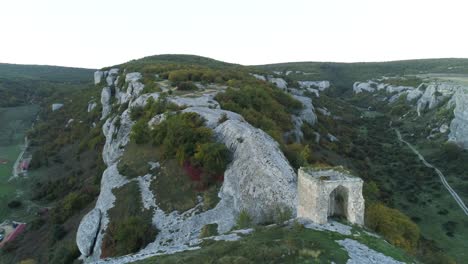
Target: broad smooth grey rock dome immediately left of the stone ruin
(259, 178)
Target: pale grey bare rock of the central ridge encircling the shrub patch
(259, 180)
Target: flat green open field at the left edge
(15, 122)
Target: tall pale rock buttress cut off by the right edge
(459, 125)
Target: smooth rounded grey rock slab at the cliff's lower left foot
(87, 231)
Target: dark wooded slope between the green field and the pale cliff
(64, 178)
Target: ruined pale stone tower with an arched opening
(326, 192)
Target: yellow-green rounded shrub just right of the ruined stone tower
(396, 227)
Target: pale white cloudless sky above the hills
(99, 33)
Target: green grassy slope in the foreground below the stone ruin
(280, 245)
